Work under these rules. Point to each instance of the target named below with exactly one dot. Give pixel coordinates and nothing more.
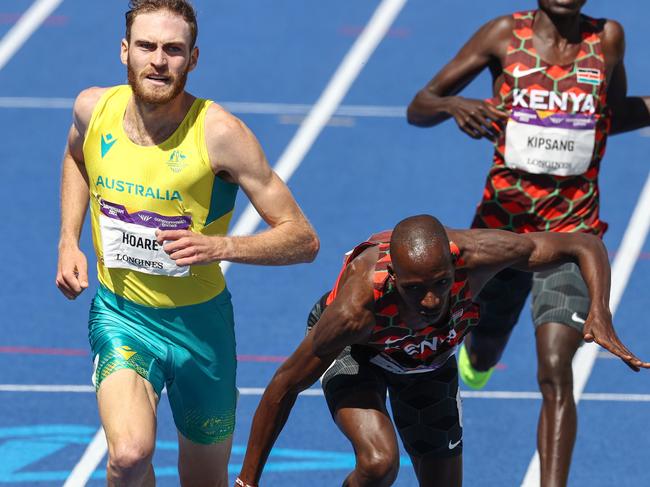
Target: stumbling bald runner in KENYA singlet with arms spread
(401, 305)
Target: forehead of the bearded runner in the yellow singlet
(160, 26)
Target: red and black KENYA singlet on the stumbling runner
(393, 345)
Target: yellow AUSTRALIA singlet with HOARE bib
(135, 190)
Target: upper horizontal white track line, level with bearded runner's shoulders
(251, 108)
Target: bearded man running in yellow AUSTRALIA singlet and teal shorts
(161, 170)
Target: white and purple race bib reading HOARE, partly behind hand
(129, 240)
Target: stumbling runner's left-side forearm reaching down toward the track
(300, 371)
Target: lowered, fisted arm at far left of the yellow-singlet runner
(72, 268)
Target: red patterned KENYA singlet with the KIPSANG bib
(546, 162)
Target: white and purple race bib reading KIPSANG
(559, 144)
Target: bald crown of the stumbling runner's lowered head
(419, 240)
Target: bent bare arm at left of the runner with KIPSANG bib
(437, 101)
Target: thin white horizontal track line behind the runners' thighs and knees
(258, 391)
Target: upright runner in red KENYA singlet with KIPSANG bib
(559, 88)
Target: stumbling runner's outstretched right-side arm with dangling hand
(489, 251)
